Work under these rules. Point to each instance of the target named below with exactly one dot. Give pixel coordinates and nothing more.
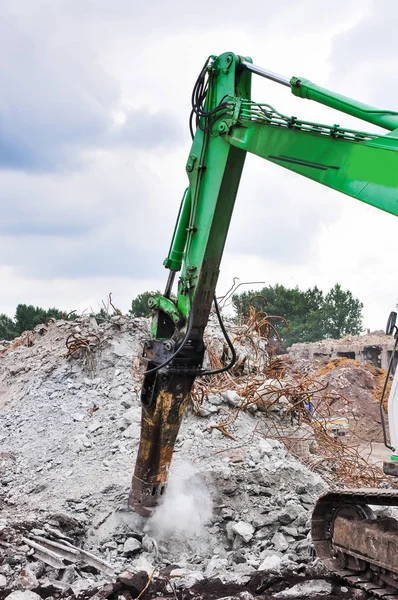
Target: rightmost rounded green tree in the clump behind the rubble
(341, 313)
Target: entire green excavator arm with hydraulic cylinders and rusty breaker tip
(228, 125)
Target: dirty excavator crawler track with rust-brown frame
(355, 544)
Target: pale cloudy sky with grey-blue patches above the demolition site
(94, 105)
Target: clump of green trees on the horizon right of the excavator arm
(311, 315)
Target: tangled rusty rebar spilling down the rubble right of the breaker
(269, 383)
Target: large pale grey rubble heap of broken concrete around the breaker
(237, 507)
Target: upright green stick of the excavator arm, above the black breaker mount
(214, 168)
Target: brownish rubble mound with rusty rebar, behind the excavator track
(325, 412)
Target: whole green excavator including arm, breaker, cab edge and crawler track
(225, 124)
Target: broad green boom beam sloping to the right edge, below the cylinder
(366, 170)
